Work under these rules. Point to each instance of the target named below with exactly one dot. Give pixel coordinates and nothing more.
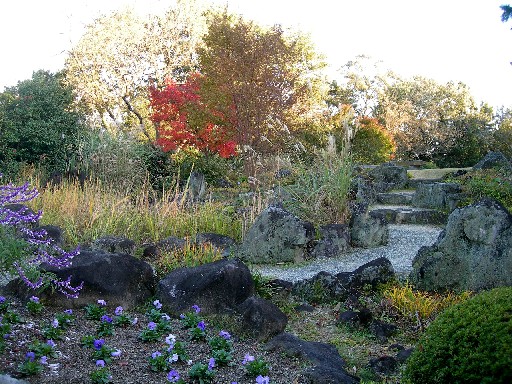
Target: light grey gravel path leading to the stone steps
(404, 243)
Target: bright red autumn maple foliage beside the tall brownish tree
(183, 121)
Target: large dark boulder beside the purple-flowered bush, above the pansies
(119, 279)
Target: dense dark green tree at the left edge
(37, 124)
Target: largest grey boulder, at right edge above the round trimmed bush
(474, 252)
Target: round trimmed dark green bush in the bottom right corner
(470, 342)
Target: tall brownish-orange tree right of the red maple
(264, 79)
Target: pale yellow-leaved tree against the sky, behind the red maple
(122, 53)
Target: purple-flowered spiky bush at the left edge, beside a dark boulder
(23, 247)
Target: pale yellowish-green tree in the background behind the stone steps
(425, 117)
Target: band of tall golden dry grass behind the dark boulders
(94, 210)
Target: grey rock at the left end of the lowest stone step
(367, 230)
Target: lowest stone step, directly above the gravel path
(404, 214)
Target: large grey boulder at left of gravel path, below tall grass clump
(277, 236)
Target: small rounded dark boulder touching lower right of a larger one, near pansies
(261, 318)
